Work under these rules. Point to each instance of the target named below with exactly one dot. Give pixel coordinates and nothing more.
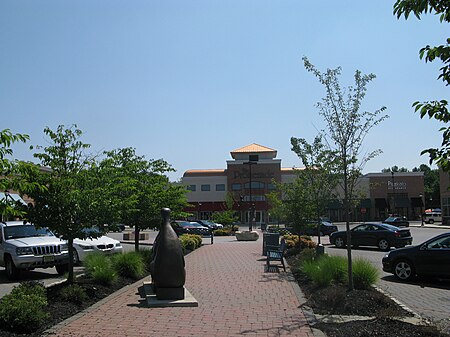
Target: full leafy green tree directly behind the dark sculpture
(139, 189)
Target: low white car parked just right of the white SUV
(93, 241)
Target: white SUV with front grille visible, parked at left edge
(23, 246)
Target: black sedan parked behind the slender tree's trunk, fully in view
(381, 235)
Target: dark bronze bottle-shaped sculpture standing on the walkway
(167, 266)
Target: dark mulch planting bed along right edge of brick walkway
(336, 300)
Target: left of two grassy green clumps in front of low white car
(100, 268)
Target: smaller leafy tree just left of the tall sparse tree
(319, 179)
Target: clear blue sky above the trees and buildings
(190, 81)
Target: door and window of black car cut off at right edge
(434, 257)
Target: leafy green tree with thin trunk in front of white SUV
(71, 201)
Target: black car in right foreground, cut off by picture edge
(430, 258)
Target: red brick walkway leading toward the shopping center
(236, 296)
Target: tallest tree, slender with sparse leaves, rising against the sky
(346, 129)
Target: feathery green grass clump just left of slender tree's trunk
(325, 270)
